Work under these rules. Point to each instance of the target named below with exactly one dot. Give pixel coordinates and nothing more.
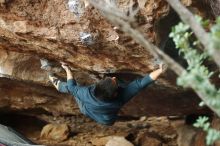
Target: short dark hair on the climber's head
(105, 89)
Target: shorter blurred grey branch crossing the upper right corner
(201, 34)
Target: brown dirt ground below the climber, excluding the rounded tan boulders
(144, 131)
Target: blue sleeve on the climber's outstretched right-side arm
(134, 88)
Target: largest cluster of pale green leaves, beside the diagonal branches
(197, 75)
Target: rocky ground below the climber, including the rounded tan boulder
(72, 131)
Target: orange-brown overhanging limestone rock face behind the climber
(92, 47)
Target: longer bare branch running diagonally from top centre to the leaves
(107, 11)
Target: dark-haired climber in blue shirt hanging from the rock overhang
(103, 100)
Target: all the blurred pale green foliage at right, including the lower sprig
(197, 75)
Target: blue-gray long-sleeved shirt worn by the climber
(105, 112)
